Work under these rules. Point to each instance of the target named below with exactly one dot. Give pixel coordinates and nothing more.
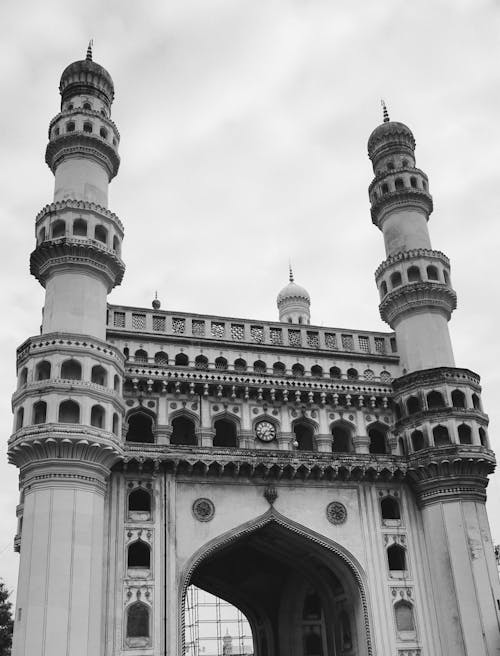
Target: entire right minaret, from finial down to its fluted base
(440, 421)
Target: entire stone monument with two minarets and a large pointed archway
(330, 483)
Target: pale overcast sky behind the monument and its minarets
(243, 142)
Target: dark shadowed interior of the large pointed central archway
(303, 594)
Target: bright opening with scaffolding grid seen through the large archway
(213, 627)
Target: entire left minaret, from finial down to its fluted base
(68, 407)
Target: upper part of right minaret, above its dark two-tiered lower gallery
(414, 281)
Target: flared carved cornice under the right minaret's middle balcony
(416, 296)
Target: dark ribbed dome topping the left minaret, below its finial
(87, 77)
